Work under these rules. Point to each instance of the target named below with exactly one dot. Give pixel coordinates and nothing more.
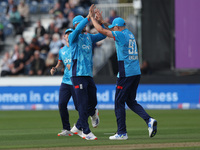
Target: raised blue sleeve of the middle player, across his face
(74, 35)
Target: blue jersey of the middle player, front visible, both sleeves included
(81, 47)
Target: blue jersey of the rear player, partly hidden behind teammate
(65, 57)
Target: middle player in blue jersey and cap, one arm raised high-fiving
(82, 76)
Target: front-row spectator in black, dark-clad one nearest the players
(37, 65)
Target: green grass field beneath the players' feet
(38, 129)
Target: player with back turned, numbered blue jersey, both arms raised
(128, 75)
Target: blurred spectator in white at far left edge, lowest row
(5, 65)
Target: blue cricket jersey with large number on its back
(127, 53)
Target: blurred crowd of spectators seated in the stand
(40, 55)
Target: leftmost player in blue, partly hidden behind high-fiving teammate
(66, 88)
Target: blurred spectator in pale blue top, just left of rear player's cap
(55, 44)
